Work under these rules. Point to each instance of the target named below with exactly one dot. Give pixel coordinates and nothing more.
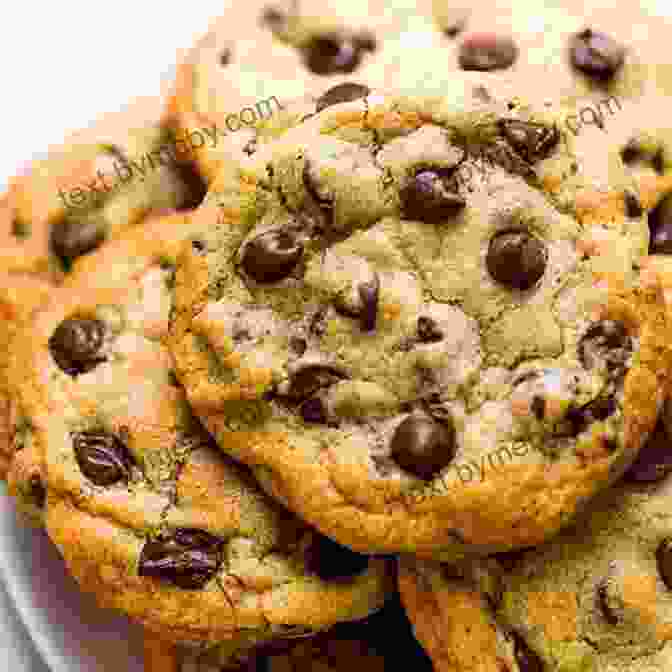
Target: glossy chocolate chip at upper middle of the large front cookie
(430, 196)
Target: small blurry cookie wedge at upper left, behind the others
(100, 181)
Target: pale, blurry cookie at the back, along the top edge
(262, 53)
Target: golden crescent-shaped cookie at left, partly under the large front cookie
(147, 514)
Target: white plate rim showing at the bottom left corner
(69, 630)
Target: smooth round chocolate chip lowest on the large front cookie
(422, 446)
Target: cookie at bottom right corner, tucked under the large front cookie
(597, 598)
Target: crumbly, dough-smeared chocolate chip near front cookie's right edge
(606, 342)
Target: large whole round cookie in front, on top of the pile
(398, 314)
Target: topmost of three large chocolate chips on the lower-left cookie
(75, 345)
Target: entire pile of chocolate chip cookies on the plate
(366, 350)
